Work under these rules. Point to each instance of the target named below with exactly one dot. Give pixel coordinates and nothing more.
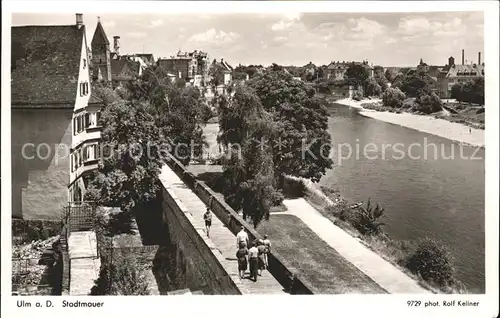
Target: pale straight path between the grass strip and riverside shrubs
(381, 271)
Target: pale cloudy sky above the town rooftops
(387, 39)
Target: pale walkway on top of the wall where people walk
(221, 241)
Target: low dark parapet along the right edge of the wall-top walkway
(277, 266)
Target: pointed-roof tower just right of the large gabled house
(101, 55)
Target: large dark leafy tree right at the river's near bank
(303, 143)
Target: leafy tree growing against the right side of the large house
(128, 173)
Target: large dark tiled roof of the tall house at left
(45, 64)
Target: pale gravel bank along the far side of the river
(428, 124)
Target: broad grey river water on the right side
(429, 186)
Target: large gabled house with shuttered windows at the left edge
(55, 132)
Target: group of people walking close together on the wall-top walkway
(254, 257)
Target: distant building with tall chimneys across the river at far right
(453, 73)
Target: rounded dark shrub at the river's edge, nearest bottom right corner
(432, 261)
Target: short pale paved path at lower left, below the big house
(84, 263)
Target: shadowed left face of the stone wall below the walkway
(187, 257)
